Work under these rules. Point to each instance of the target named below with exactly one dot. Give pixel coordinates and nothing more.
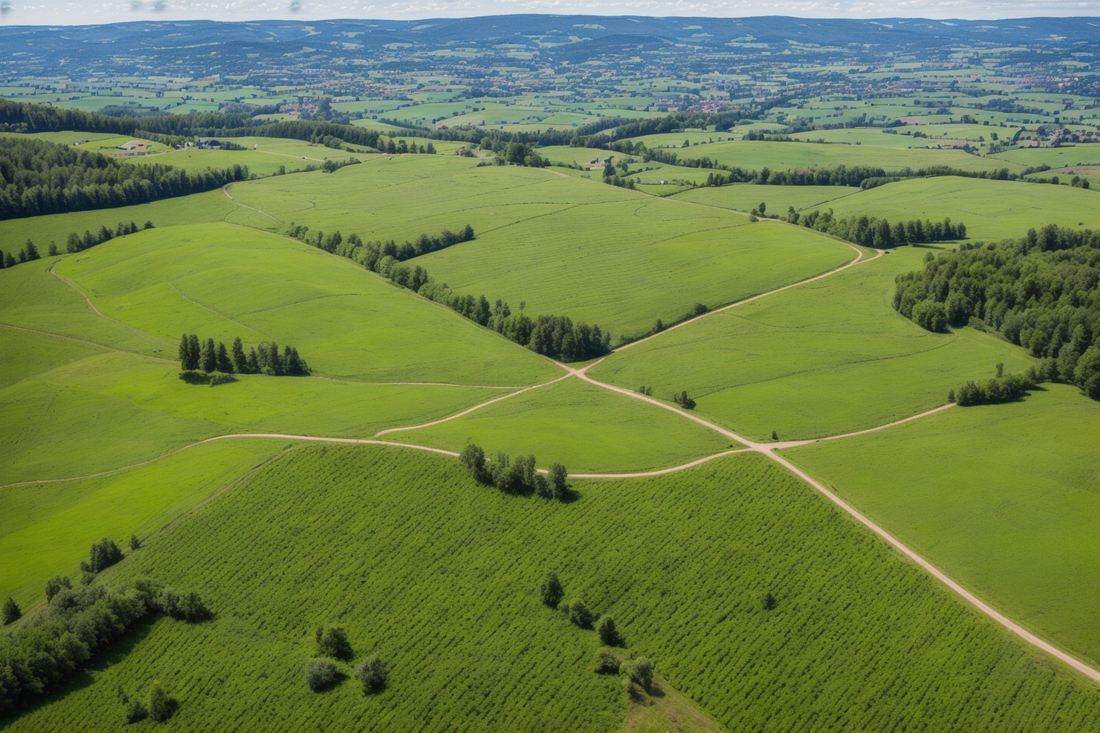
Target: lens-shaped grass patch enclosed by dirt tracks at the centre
(585, 426)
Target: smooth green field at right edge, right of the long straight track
(1014, 522)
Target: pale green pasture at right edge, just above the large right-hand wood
(991, 210)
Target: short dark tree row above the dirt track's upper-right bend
(875, 233)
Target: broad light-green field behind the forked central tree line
(595, 253)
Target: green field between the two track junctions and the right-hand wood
(827, 358)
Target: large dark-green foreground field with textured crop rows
(437, 576)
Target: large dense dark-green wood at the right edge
(1041, 292)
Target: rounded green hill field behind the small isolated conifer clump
(222, 282)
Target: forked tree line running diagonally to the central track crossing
(557, 337)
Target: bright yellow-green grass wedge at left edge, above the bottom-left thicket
(47, 529)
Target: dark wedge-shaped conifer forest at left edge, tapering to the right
(39, 178)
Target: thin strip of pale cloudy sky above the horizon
(107, 12)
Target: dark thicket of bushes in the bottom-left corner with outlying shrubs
(76, 626)
